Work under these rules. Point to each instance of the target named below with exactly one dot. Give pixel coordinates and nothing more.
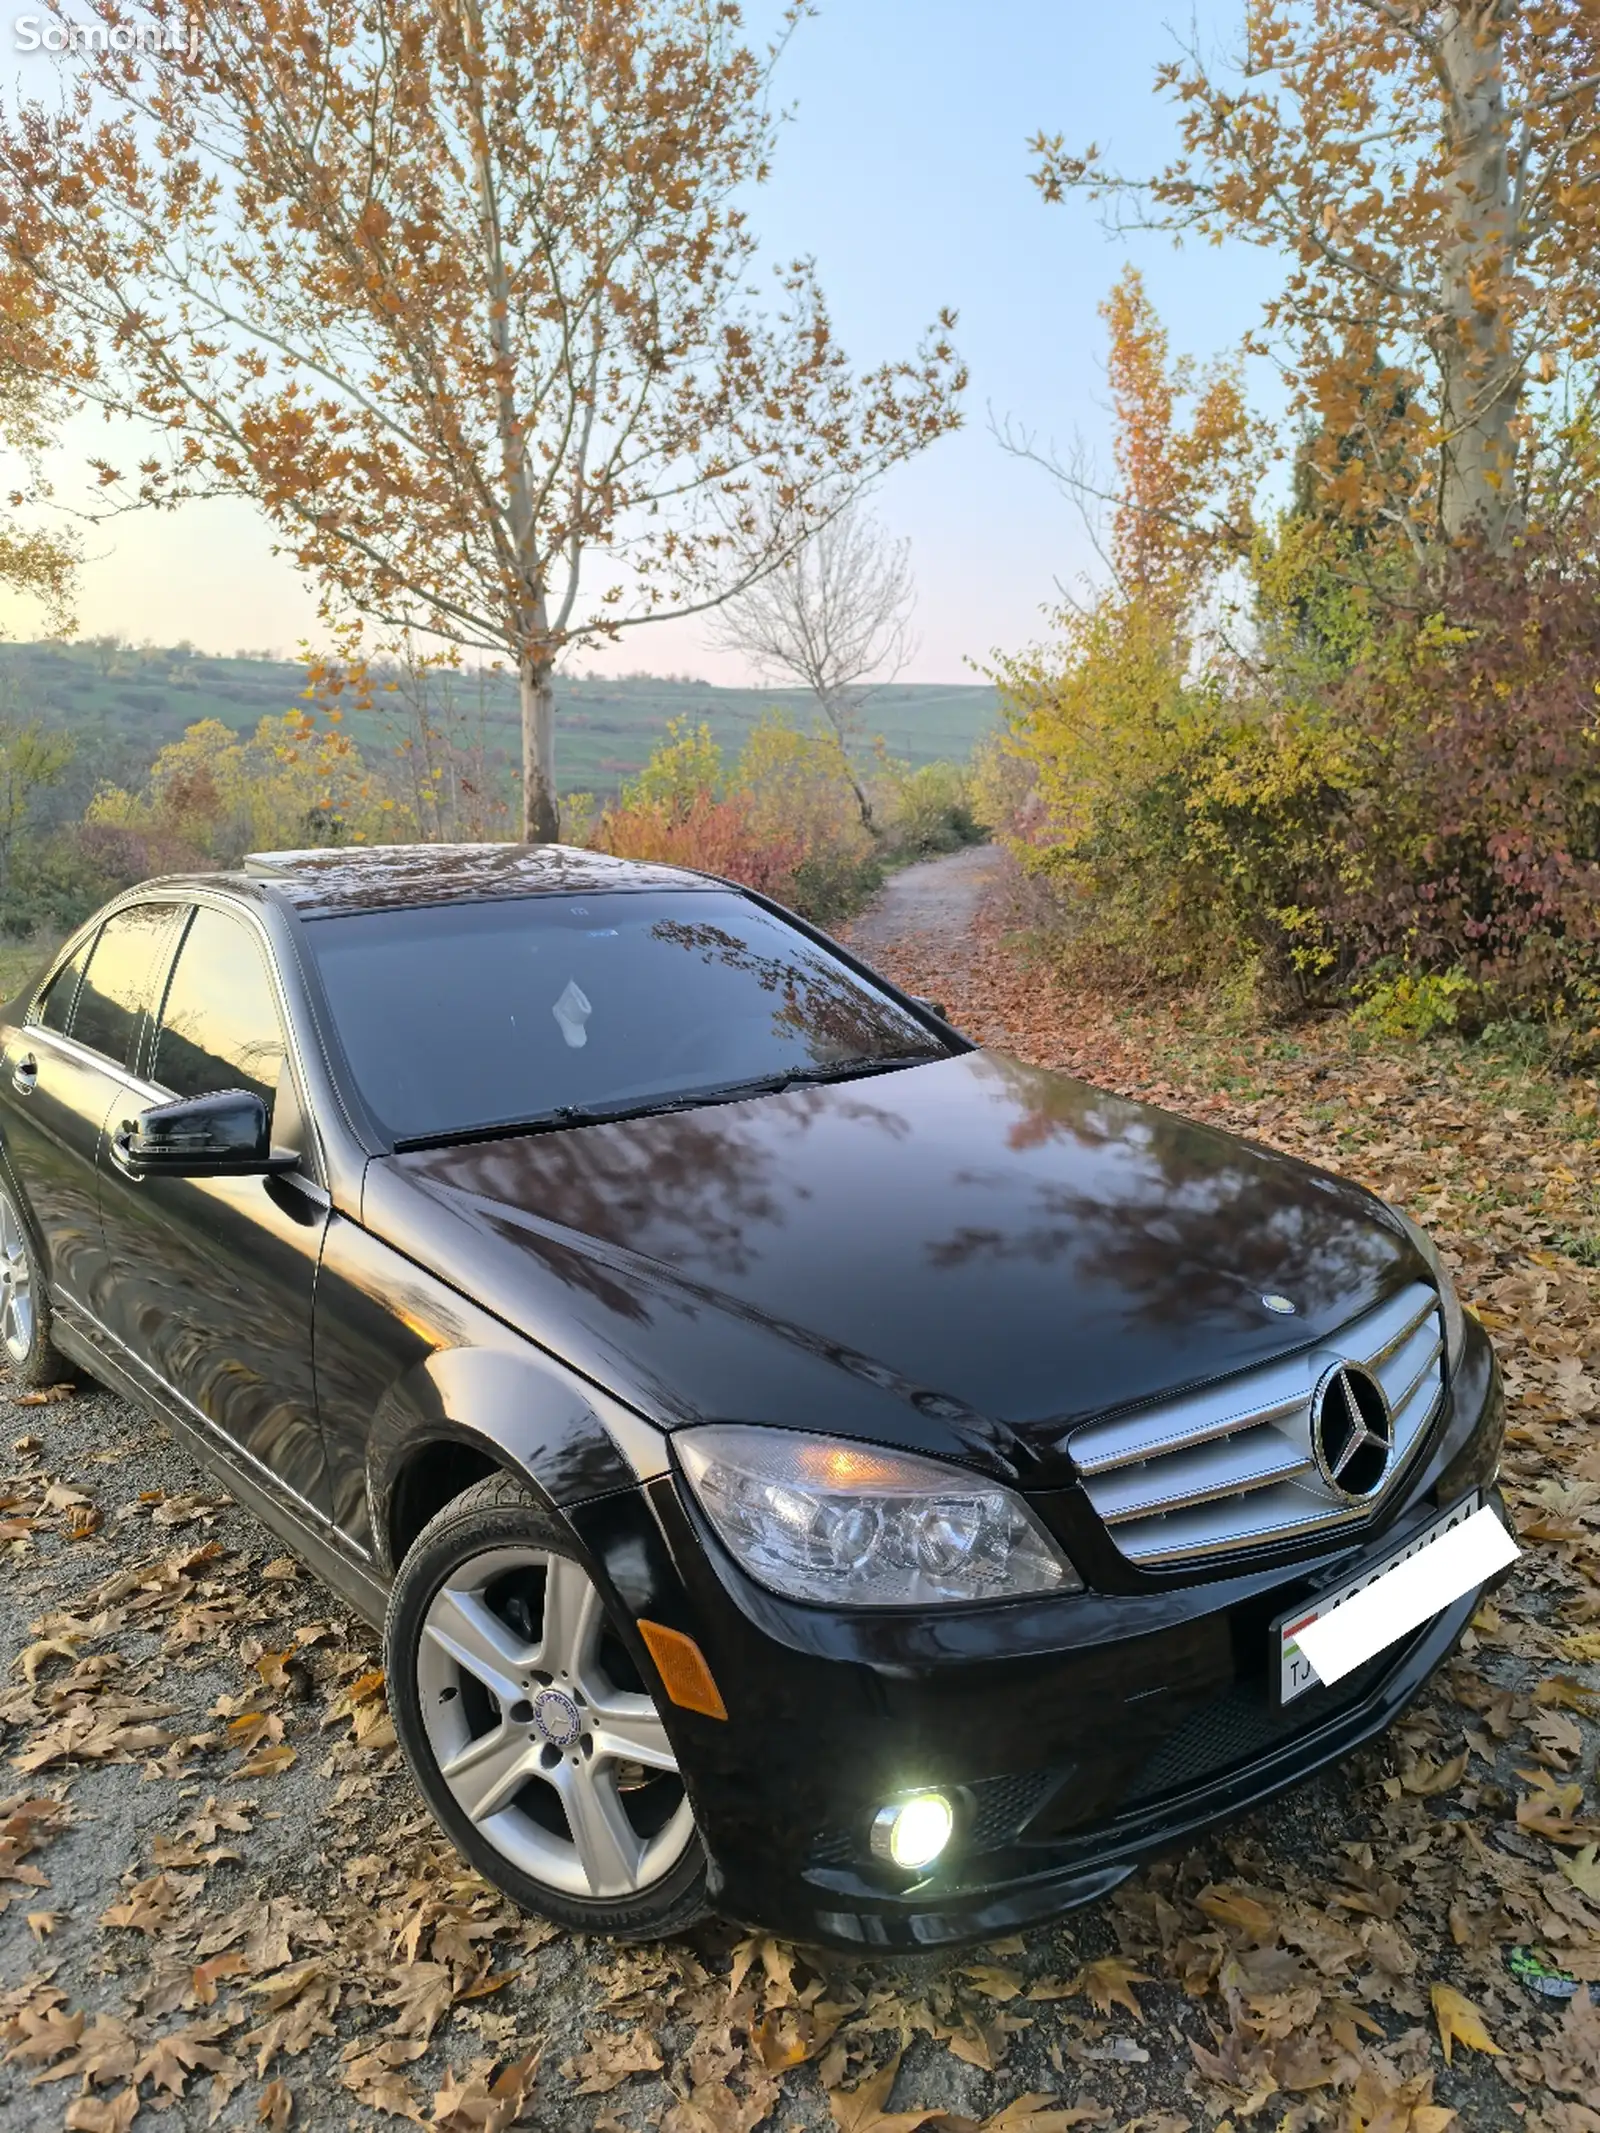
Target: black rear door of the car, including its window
(61, 1076)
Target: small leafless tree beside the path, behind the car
(837, 620)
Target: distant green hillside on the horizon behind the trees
(127, 705)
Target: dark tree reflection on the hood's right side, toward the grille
(1198, 1219)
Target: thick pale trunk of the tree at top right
(1479, 368)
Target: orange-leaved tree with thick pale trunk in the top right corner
(1430, 174)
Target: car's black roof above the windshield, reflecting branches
(342, 880)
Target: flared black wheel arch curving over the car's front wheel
(522, 1411)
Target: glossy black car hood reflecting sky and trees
(967, 1255)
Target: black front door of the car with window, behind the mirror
(212, 1279)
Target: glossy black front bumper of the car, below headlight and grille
(1081, 1735)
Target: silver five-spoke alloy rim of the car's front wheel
(543, 1731)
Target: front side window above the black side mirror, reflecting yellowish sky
(221, 1023)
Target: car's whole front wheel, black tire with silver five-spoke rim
(532, 1784)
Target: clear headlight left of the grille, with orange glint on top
(857, 1526)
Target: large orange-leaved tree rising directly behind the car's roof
(466, 300)
